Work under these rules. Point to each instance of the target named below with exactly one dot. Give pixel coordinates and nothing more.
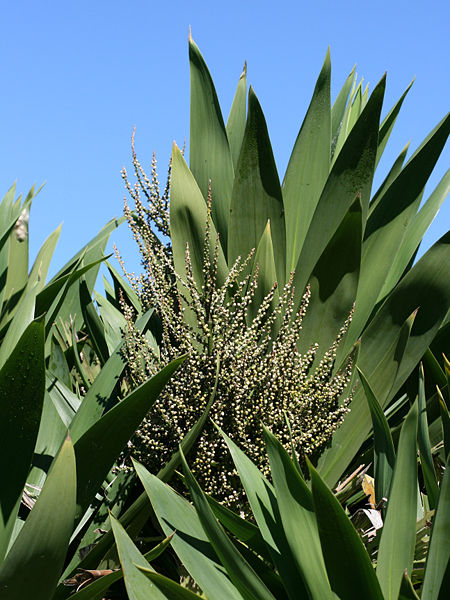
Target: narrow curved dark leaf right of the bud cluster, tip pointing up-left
(383, 447)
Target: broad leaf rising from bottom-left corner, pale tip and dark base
(34, 563)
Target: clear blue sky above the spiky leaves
(77, 76)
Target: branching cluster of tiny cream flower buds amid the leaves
(252, 369)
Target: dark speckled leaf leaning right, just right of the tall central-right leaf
(352, 173)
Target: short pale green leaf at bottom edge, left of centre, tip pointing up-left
(139, 587)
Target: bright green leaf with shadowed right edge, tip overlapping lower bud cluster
(299, 521)
